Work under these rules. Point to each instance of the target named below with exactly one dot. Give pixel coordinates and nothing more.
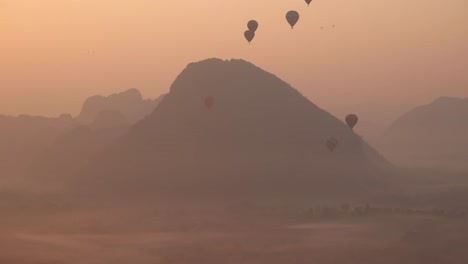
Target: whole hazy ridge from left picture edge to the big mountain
(35, 145)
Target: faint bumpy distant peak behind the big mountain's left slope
(130, 103)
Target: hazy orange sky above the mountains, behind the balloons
(392, 52)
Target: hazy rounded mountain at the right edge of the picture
(430, 135)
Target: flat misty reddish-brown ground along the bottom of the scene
(122, 236)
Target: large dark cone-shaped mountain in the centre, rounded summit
(260, 136)
